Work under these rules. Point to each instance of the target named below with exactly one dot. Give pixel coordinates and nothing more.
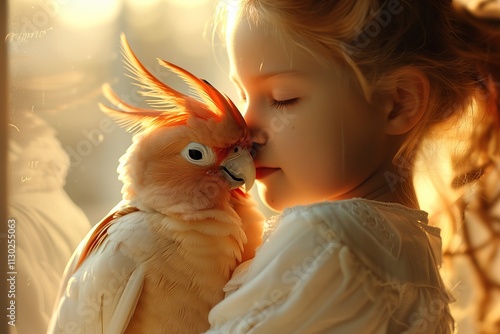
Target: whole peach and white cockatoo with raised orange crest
(159, 262)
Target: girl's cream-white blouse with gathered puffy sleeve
(352, 266)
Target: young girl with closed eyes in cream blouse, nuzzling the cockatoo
(338, 95)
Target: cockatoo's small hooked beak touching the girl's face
(239, 169)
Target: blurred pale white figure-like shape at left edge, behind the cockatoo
(48, 224)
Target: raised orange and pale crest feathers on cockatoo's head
(169, 107)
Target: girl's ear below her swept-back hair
(407, 99)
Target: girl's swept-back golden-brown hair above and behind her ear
(374, 37)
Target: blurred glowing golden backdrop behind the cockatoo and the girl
(63, 151)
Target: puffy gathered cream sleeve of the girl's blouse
(305, 279)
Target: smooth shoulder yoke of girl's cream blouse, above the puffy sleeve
(392, 240)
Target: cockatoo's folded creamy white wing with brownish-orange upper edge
(104, 279)
